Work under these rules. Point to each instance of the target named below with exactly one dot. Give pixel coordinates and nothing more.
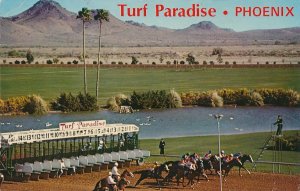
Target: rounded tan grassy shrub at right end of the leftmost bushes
(36, 105)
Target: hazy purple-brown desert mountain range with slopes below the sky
(47, 23)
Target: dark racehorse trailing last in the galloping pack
(152, 173)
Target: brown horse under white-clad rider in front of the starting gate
(102, 184)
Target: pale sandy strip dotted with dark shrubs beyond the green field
(281, 54)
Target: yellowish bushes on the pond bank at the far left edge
(24, 104)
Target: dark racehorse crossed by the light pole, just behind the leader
(225, 166)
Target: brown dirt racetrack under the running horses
(86, 182)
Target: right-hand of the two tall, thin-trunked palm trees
(101, 15)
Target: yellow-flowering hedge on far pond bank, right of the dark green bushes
(242, 97)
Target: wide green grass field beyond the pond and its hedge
(49, 82)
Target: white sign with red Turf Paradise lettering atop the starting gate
(82, 125)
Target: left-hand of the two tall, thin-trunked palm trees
(85, 16)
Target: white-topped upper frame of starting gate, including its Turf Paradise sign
(70, 139)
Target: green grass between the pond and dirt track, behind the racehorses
(246, 143)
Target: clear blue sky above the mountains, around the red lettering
(13, 7)
